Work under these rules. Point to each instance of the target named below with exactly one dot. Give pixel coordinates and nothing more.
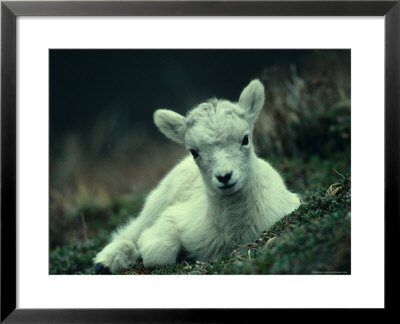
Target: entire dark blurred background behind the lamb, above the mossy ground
(106, 153)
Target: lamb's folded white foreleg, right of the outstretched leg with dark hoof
(159, 245)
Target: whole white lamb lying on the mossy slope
(221, 196)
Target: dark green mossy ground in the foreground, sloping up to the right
(314, 239)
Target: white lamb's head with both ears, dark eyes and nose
(218, 133)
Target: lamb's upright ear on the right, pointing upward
(252, 100)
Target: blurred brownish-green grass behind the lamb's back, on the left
(89, 188)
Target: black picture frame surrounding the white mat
(10, 10)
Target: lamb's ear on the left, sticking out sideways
(171, 124)
